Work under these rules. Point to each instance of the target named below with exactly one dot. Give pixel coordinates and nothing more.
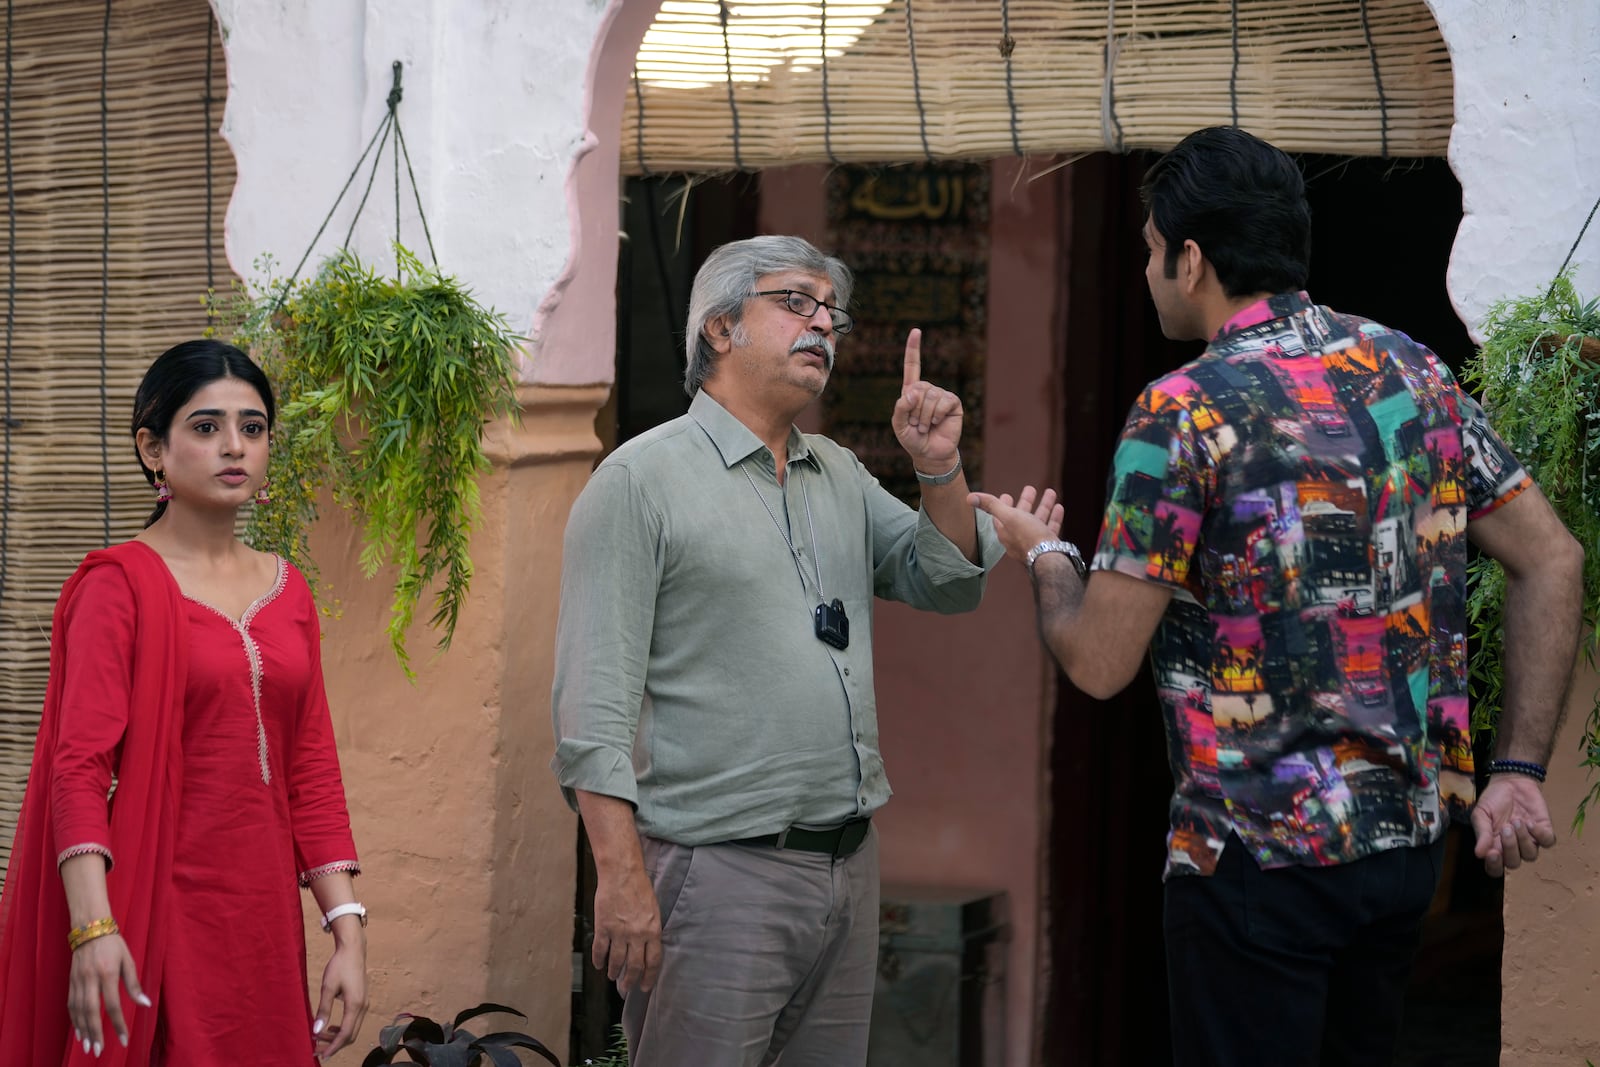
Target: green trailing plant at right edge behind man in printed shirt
(1540, 385)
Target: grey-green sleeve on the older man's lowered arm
(612, 561)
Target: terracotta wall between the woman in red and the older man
(468, 849)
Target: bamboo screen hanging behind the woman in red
(116, 228)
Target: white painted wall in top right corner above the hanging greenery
(1526, 145)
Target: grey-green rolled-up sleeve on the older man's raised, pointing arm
(916, 564)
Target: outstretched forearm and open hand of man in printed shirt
(1098, 631)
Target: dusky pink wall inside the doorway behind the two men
(962, 701)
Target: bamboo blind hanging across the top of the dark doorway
(750, 84)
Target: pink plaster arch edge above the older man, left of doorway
(575, 327)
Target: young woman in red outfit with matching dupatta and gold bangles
(164, 927)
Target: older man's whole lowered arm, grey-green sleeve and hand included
(610, 575)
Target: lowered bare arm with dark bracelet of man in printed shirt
(1543, 569)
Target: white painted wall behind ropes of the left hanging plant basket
(494, 116)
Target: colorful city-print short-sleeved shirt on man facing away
(1305, 487)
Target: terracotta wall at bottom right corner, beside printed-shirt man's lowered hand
(1551, 967)
